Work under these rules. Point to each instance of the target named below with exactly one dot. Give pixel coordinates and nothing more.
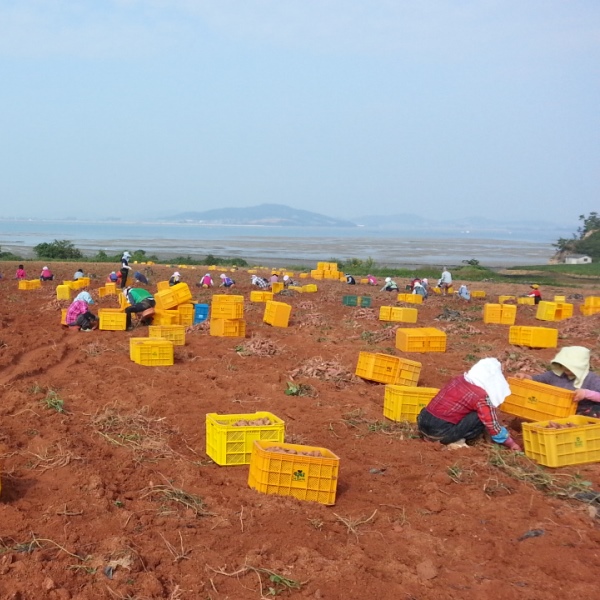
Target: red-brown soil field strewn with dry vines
(116, 497)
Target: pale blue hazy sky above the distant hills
(112, 108)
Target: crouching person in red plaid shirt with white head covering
(466, 407)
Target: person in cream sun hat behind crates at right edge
(570, 370)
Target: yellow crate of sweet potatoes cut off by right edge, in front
(553, 447)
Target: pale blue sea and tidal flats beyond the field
(408, 246)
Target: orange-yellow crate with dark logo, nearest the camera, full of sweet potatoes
(312, 478)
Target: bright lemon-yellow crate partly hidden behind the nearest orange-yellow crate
(229, 444)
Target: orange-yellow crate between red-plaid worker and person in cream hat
(536, 401)
